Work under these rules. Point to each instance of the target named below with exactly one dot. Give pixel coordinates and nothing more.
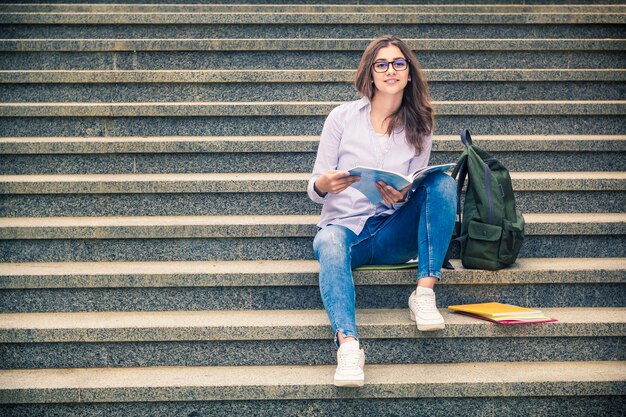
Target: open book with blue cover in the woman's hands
(370, 176)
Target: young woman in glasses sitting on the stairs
(390, 127)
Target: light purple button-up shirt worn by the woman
(348, 140)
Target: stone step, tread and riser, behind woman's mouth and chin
(293, 85)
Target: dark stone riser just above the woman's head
(318, 31)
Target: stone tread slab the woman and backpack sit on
(289, 273)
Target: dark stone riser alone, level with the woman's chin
(175, 92)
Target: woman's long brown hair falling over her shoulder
(416, 114)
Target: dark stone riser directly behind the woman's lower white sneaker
(307, 352)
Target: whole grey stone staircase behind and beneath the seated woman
(155, 233)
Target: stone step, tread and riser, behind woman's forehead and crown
(253, 54)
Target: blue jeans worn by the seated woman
(422, 226)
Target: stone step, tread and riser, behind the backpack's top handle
(161, 155)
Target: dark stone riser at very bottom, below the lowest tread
(605, 406)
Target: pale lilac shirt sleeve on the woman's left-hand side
(327, 153)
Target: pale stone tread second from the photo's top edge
(306, 18)
